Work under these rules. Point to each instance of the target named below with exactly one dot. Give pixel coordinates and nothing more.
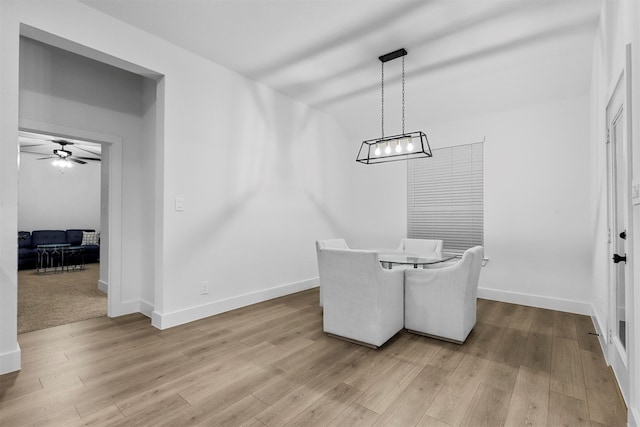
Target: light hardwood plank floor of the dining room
(271, 364)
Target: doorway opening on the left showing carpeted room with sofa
(59, 222)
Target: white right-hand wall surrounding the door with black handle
(619, 26)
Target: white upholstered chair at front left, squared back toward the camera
(362, 301)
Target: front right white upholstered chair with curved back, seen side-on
(441, 302)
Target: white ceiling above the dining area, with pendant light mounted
(464, 57)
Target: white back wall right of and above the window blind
(536, 169)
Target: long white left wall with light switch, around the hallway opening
(257, 171)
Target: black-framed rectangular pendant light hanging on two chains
(405, 146)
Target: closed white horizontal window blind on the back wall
(445, 197)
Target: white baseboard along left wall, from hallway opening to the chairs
(168, 320)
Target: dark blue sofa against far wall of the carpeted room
(28, 242)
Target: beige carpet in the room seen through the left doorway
(53, 299)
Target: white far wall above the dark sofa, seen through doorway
(55, 199)
